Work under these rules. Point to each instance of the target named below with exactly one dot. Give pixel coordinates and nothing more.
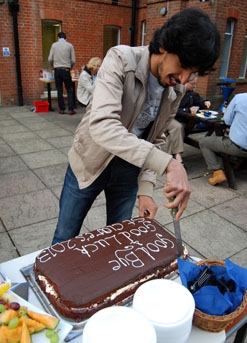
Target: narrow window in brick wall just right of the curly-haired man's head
(227, 47)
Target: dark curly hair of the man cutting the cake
(192, 36)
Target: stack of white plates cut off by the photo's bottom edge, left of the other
(118, 324)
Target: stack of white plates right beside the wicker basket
(169, 306)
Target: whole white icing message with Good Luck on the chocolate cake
(131, 246)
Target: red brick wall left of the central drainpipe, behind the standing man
(83, 22)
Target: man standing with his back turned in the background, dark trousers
(62, 59)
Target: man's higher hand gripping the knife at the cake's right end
(177, 187)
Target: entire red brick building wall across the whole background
(83, 21)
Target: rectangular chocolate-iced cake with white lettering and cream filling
(104, 267)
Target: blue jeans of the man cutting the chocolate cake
(119, 182)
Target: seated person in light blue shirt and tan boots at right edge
(235, 144)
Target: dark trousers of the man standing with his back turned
(62, 76)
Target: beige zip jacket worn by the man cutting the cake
(105, 130)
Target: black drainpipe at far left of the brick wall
(14, 9)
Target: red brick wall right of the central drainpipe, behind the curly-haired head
(208, 86)
